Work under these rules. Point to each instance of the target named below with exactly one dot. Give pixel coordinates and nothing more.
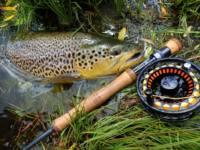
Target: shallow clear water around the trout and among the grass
(20, 97)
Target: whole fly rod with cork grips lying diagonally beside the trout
(98, 98)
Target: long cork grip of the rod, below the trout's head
(95, 100)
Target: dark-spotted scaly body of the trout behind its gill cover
(45, 55)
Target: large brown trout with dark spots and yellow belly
(63, 59)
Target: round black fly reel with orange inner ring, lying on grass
(164, 85)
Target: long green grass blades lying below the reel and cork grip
(131, 129)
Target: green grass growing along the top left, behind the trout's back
(68, 13)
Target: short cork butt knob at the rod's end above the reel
(174, 45)
